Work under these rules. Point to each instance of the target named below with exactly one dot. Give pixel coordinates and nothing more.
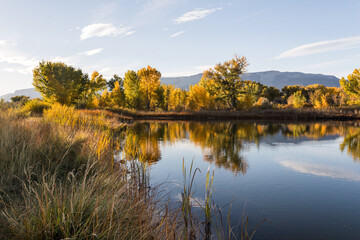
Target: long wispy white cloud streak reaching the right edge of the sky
(320, 47)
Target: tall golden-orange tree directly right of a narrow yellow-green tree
(149, 83)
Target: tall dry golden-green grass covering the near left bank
(59, 182)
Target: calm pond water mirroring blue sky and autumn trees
(305, 178)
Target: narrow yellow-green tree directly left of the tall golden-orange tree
(132, 89)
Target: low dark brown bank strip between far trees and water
(338, 114)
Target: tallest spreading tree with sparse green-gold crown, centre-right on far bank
(227, 79)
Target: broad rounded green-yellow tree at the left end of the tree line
(58, 82)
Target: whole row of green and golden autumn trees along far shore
(221, 88)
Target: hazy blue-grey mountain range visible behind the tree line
(269, 78)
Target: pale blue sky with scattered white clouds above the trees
(178, 37)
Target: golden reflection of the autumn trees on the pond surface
(223, 143)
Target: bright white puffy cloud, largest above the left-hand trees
(104, 29)
